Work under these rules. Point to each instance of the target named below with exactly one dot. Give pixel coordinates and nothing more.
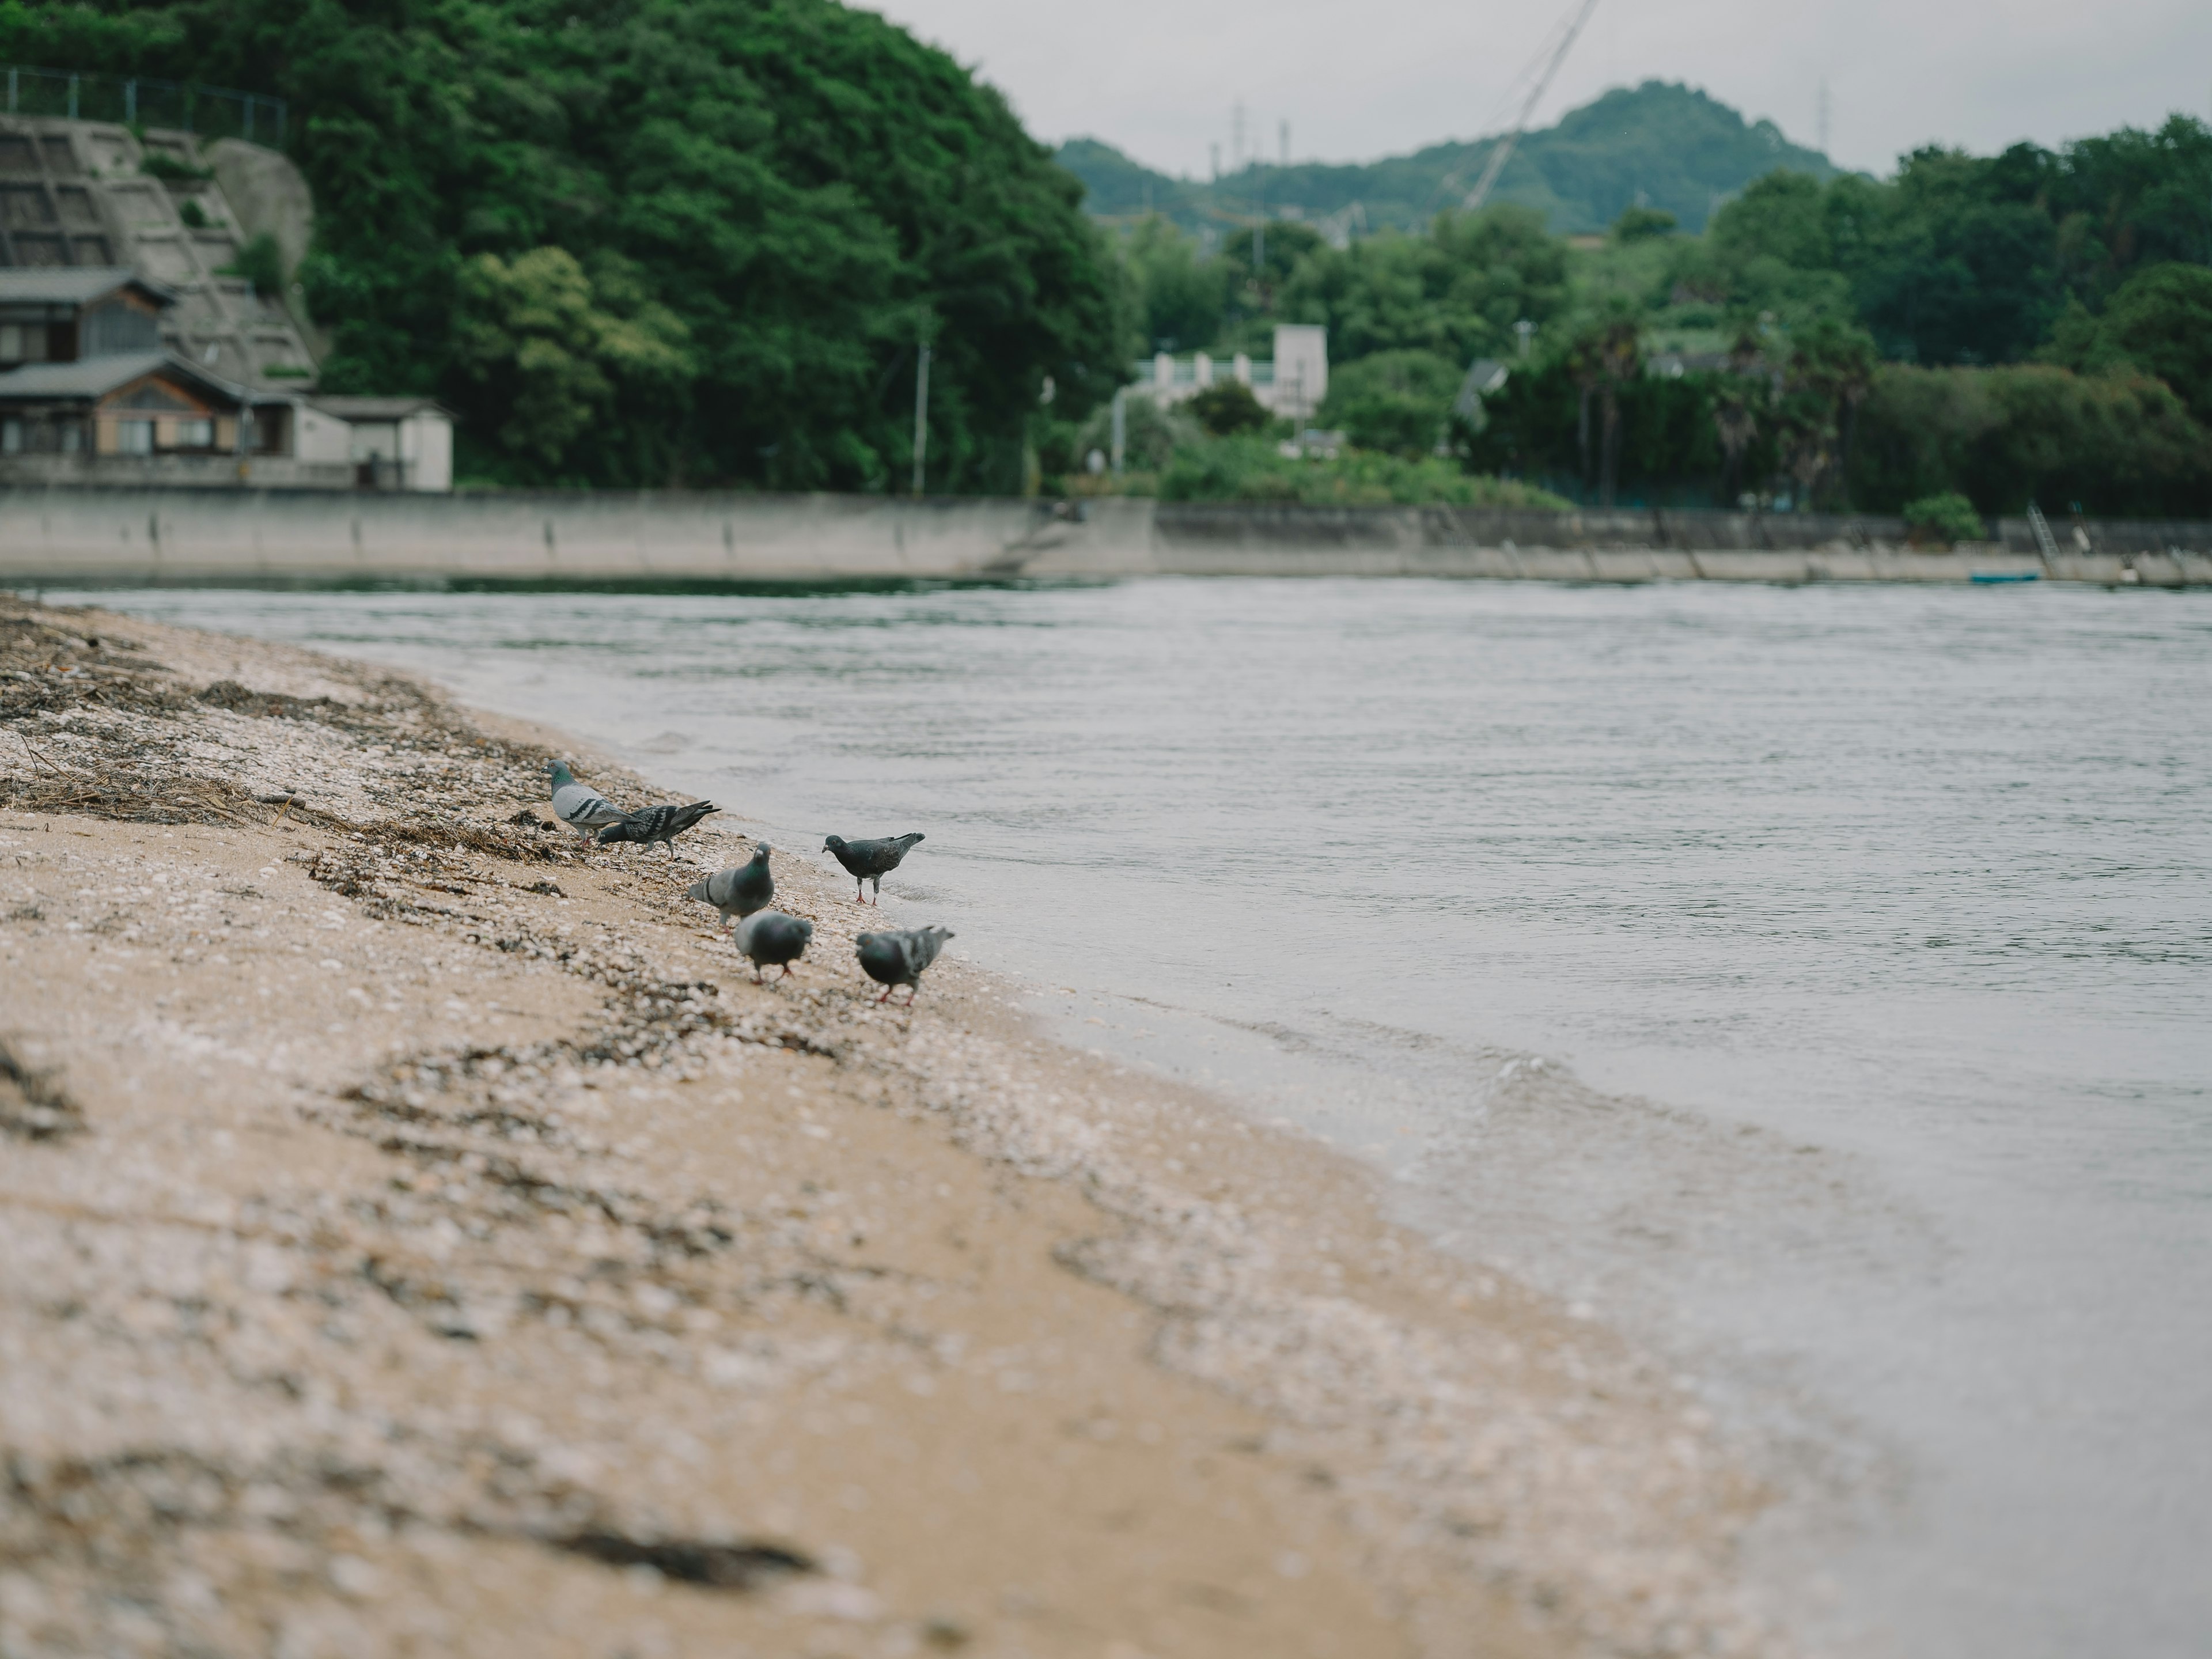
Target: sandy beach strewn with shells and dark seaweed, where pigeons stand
(503, 1271)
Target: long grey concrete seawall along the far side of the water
(651, 536)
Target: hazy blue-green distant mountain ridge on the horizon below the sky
(1662, 145)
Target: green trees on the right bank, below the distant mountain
(2030, 326)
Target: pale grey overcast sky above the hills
(1368, 79)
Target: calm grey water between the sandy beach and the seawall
(1861, 935)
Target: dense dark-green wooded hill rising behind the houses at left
(665, 240)
